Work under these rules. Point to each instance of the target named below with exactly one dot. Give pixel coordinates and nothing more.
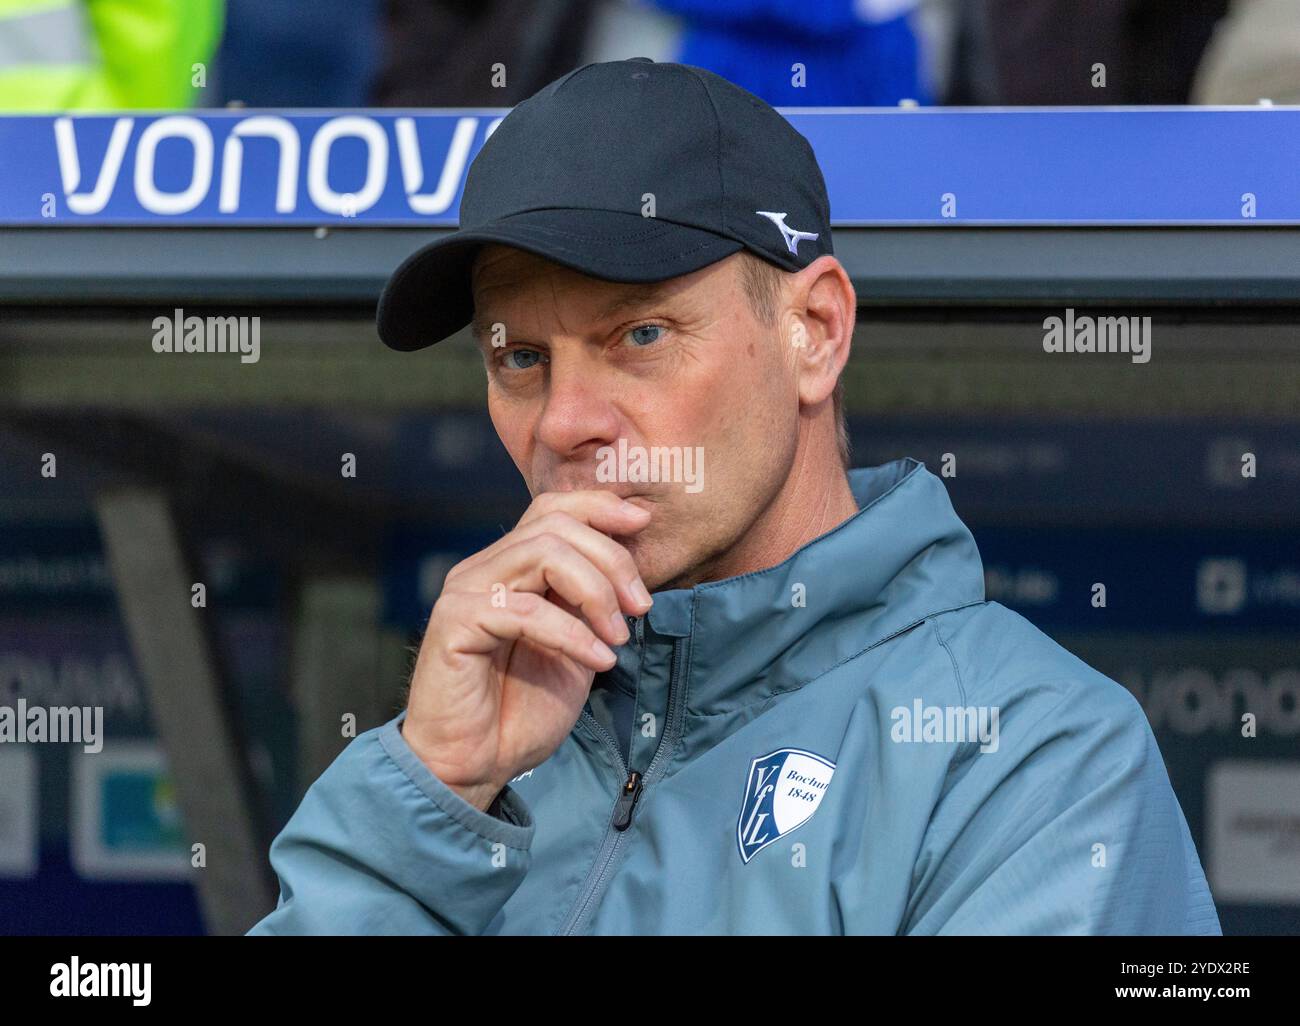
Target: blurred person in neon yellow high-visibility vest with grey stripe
(105, 55)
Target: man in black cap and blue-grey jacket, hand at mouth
(816, 724)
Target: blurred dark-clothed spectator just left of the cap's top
(443, 53)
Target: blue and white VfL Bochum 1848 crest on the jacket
(782, 794)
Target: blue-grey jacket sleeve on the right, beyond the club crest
(1071, 828)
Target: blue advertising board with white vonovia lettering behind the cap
(883, 167)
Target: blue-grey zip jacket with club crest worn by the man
(809, 760)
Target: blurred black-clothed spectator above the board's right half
(1045, 53)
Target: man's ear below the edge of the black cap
(821, 313)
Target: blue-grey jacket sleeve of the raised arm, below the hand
(382, 846)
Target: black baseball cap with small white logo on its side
(625, 171)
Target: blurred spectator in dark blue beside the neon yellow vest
(294, 54)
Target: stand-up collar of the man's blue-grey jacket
(903, 557)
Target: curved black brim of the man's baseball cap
(430, 297)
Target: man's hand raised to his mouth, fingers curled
(517, 638)
